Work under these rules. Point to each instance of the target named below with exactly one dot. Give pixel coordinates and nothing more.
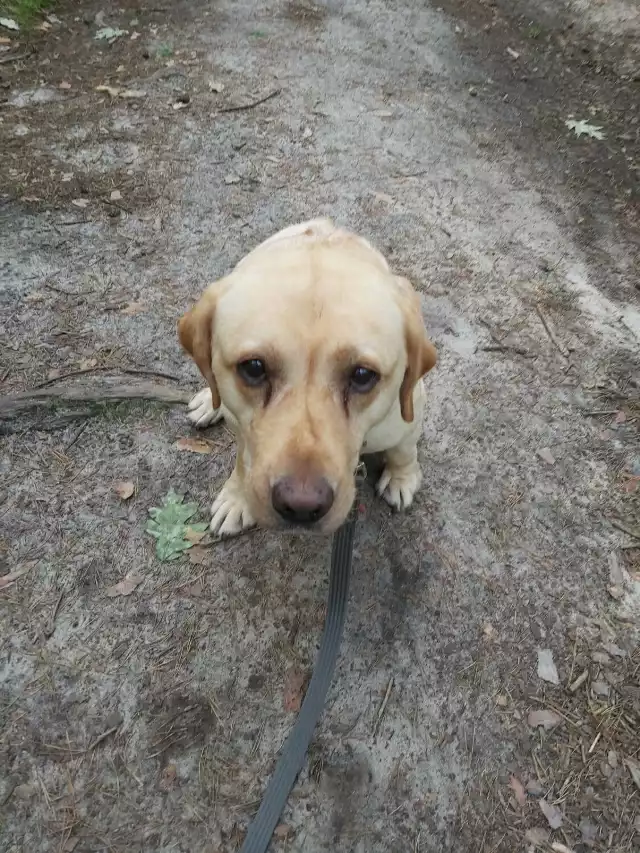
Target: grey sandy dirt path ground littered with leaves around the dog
(150, 722)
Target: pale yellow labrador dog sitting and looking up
(314, 353)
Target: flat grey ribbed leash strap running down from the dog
(295, 747)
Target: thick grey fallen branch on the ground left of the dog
(12, 404)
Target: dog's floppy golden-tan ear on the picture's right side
(421, 353)
